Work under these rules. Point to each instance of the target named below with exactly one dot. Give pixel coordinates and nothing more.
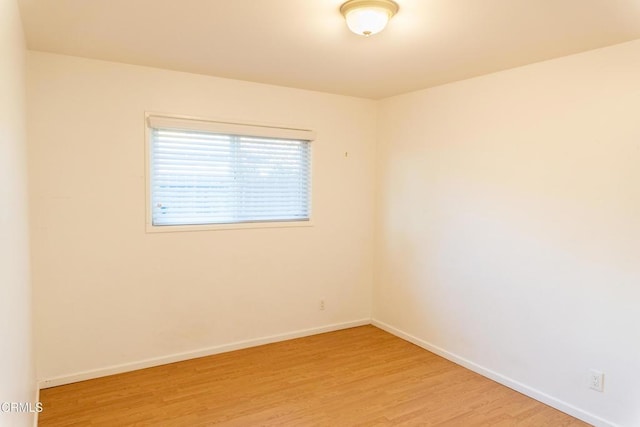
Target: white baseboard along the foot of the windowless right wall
(499, 378)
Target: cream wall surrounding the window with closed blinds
(107, 293)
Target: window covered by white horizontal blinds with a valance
(203, 173)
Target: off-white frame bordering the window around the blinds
(222, 126)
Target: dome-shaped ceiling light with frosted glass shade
(367, 17)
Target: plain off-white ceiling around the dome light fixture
(306, 44)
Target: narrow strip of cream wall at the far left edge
(17, 383)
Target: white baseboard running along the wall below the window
(178, 357)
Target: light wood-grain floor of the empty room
(355, 377)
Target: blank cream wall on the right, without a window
(509, 226)
